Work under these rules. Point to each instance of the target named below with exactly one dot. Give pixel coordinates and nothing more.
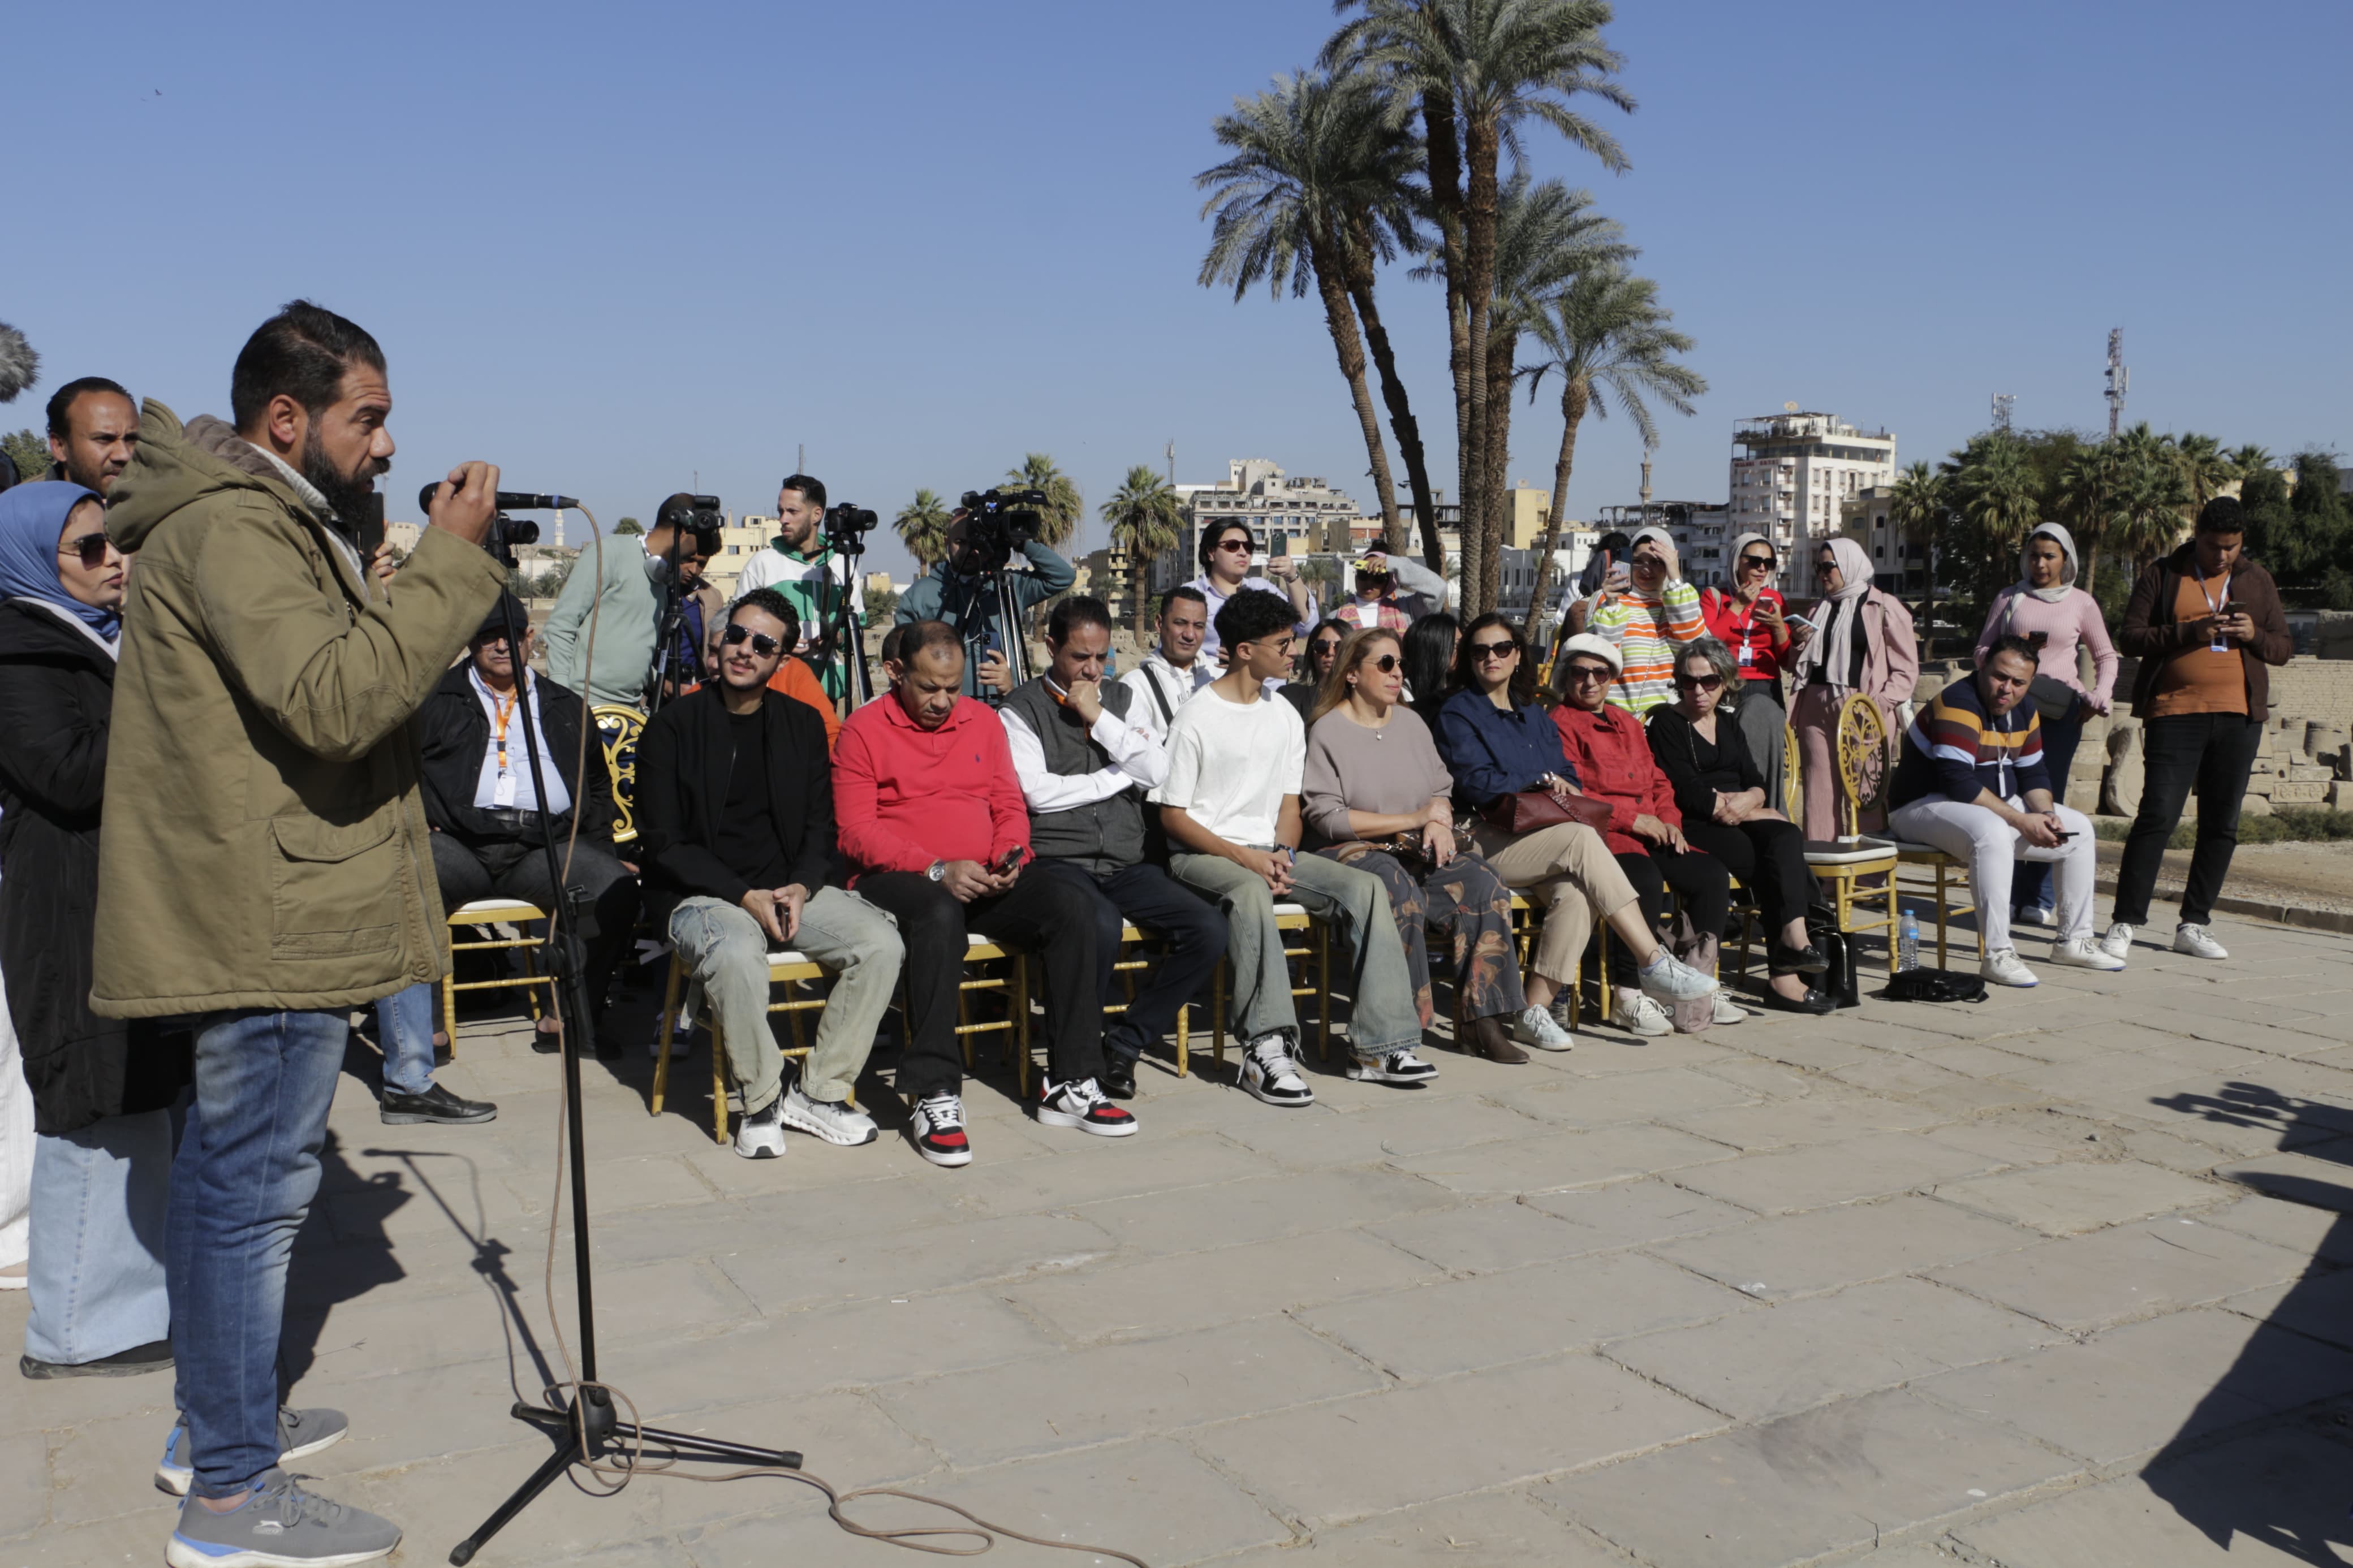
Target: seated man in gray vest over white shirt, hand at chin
(1086, 765)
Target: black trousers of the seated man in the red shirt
(1044, 916)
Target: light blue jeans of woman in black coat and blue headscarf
(98, 1240)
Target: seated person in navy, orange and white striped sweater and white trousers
(1975, 784)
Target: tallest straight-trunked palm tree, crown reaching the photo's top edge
(1479, 72)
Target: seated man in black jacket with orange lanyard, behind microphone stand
(481, 803)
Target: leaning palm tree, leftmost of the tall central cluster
(1284, 217)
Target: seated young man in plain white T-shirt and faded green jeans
(1232, 812)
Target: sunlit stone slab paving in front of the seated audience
(2055, 1282)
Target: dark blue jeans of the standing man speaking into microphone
(241, 1188)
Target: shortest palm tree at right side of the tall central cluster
(1606, 337)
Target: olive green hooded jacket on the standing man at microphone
(265, 829)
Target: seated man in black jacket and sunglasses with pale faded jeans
(735, 810)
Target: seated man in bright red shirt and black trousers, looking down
(931, 815)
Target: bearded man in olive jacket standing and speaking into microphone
(265, 864)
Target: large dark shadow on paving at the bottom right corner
(2298, 1494)
